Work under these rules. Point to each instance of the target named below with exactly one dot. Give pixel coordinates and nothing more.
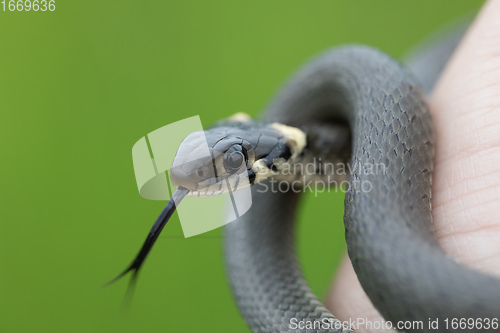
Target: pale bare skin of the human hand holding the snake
(466, 183)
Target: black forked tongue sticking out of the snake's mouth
(155, 231)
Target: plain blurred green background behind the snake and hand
(80, 85)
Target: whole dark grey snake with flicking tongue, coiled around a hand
(354, 105)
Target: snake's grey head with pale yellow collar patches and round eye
(234, 155)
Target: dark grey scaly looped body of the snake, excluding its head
(389, 230)
